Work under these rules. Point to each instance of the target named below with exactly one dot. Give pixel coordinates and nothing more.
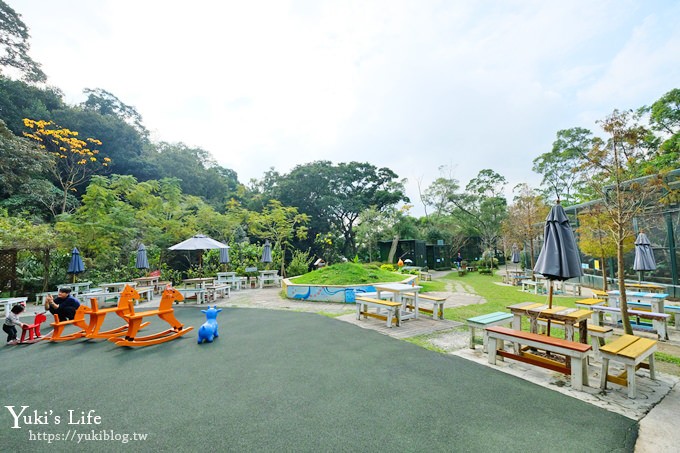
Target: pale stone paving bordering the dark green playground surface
(654, 408)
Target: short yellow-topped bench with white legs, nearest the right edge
(631, 351)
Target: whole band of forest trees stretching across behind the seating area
(89, 176)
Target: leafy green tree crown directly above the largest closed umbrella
(559, 167)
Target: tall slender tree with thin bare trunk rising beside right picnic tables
(611, 166)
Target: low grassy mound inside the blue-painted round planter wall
(348, 274)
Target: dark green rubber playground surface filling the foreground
(283, 381)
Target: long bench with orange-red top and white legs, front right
(575, 353)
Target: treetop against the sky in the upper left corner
(14, 45)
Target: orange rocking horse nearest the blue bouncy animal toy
(164, 312)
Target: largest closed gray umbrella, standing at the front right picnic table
(559, 258)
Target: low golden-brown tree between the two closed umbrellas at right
(596, 233)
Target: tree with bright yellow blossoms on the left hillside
(74, 160)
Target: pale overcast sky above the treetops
(408, 85)
